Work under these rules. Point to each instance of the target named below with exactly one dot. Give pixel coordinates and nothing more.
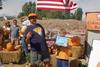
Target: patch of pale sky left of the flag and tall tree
(12, 7)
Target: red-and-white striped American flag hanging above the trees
(55, 5)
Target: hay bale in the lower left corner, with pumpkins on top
(10, 56)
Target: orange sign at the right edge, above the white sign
(93, 21)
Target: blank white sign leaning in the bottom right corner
(95, 54)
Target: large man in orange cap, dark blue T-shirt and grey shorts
(35, 35)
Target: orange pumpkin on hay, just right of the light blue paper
(74, 41)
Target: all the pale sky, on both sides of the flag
(13, 7)
